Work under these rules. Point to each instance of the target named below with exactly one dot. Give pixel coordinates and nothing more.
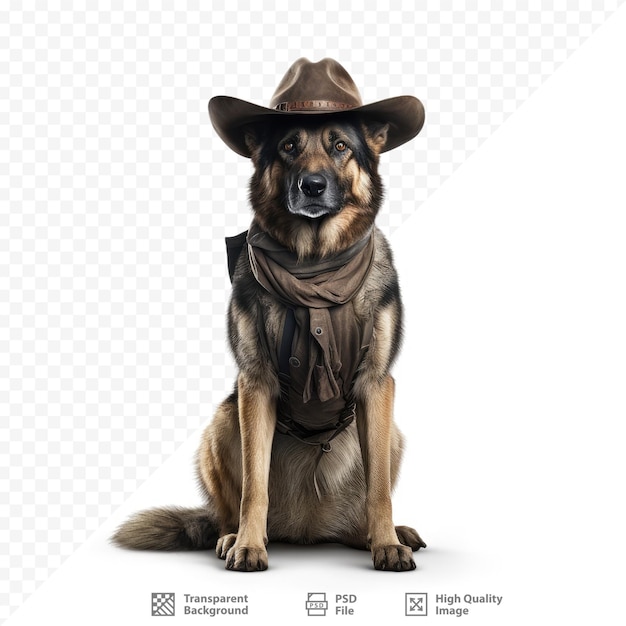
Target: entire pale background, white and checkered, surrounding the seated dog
(510, 384)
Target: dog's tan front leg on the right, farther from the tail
(374, 425)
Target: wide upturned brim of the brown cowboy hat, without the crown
(229, 116)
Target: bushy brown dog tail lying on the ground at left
(169, 528)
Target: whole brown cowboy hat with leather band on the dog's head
(320, 88)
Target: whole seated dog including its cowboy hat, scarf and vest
(305, 450)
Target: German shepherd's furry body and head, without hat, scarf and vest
(316, 192)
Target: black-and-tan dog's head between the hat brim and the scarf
(316, 187)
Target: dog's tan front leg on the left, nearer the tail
(257, 420)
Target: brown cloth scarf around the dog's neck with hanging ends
(312, 287)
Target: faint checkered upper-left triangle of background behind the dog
(116, 196)
